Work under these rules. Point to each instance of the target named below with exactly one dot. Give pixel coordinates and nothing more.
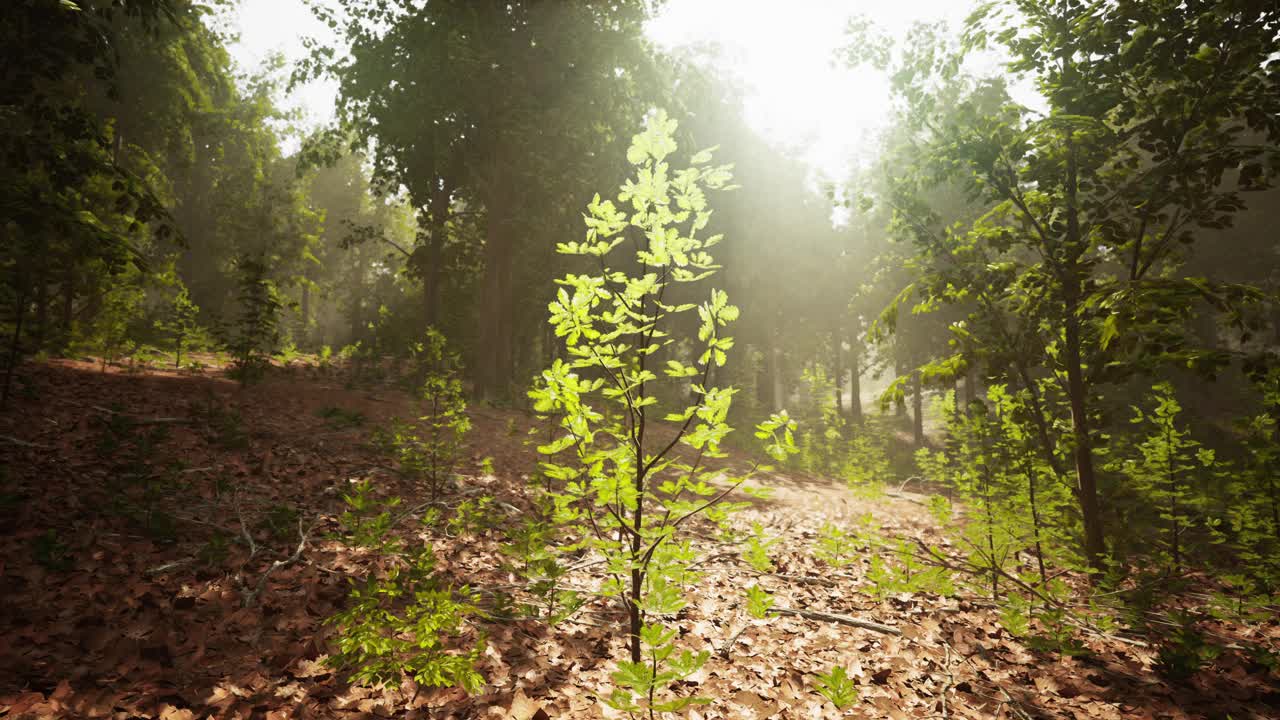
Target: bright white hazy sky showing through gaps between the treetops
(780, 49)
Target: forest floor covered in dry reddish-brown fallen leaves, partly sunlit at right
(171, 550)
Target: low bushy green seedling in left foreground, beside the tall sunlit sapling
(406, 623)
